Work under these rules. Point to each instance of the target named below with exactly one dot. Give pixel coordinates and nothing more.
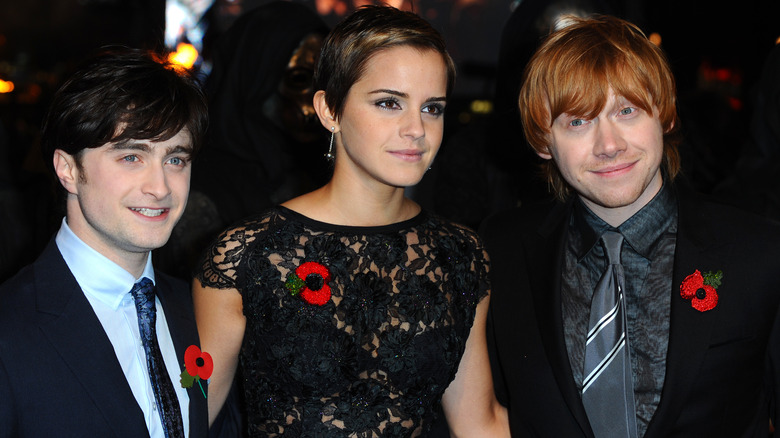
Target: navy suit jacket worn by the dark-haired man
(59, 376)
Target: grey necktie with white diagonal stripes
(607, 387)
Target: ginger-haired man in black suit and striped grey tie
(631, 306)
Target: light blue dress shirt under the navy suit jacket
(107, 288)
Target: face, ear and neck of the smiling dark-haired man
(126, 197)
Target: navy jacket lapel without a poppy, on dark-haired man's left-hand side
(78, 338)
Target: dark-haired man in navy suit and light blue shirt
(92, 338)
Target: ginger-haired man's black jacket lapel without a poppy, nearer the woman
(545, 260)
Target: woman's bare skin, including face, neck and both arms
(385, 139)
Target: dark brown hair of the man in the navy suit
(123, 94)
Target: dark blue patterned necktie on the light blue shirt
(164, 394)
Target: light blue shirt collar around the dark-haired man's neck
(96, 274)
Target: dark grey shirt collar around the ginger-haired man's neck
(641, 231)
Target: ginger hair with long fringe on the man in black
(572, 71)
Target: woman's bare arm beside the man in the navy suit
(221, 324)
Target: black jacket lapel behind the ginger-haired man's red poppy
(689, 329)
